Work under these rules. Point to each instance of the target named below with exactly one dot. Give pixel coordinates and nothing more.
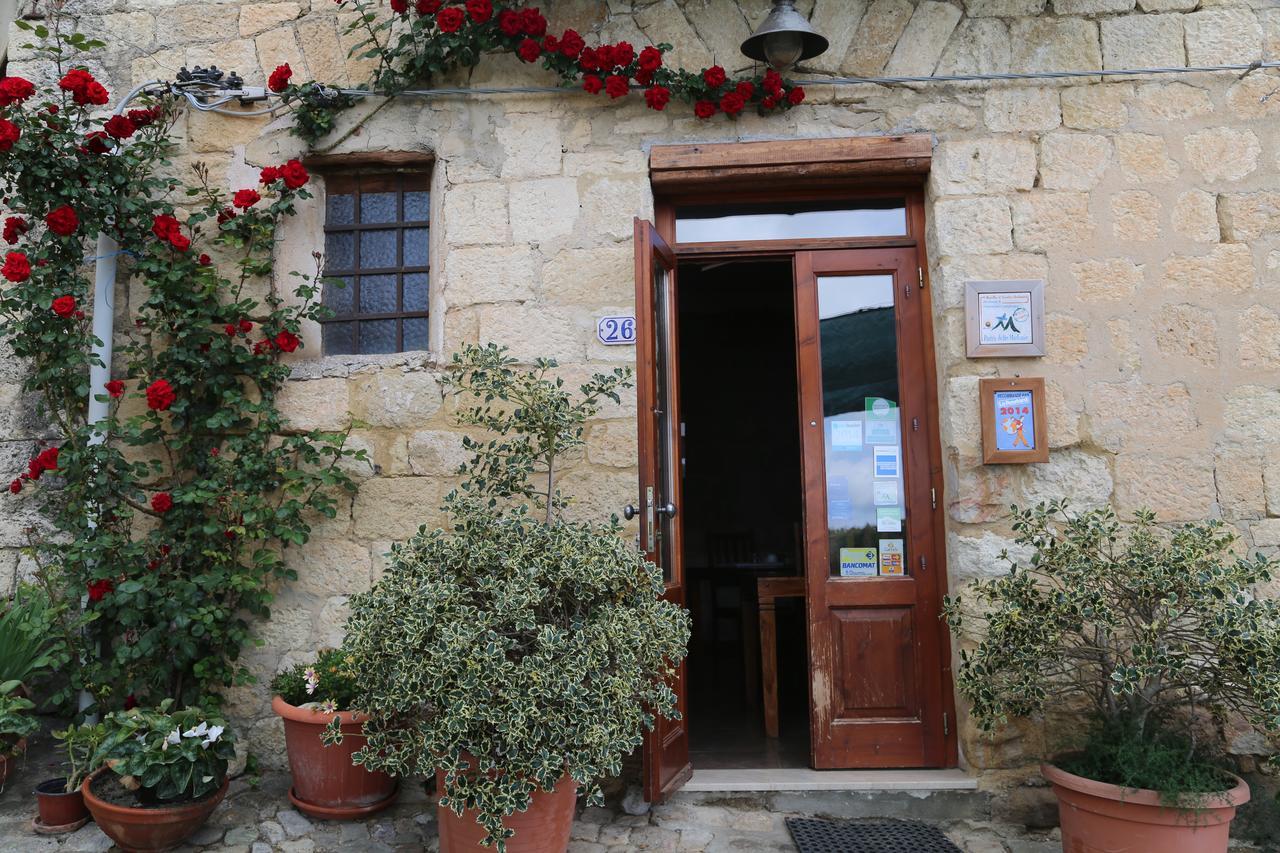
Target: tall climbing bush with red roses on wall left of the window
(171, 530)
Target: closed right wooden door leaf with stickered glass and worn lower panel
(877, 664)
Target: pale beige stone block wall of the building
(1149, 206)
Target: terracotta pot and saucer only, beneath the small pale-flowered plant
(326, 783)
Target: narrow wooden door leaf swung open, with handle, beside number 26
(666, 749)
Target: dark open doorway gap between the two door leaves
(740, 462)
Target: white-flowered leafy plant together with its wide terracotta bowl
(162, 774)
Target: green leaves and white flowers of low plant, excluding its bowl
(167, 756)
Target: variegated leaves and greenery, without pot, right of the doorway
(1150, 630)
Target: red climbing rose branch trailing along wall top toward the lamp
(429, 38)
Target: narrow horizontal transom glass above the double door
(721, 223)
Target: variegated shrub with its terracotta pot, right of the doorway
(1159, 636)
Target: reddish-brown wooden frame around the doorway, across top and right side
(728, 186)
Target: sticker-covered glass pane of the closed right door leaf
(863, 437)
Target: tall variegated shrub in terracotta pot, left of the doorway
(518, 654)
